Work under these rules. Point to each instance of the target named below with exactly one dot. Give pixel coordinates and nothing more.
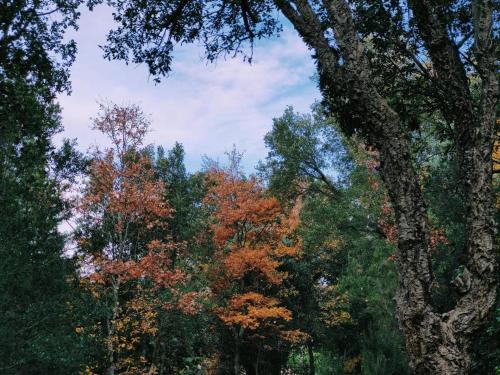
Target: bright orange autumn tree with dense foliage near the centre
(252, 237)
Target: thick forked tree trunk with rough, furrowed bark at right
(437, 343)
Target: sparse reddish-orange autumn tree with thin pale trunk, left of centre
(127, 261)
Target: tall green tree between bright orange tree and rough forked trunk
(345, 281)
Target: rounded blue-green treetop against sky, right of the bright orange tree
(304, 148)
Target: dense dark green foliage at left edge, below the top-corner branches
(36, 330)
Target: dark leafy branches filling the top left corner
(33, 44)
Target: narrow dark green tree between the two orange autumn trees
(186, 340)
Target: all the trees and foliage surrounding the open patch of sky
(364, 243)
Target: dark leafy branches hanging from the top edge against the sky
(224, 28)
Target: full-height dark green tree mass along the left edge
(37, 279)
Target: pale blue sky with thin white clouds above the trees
(206, 107)
